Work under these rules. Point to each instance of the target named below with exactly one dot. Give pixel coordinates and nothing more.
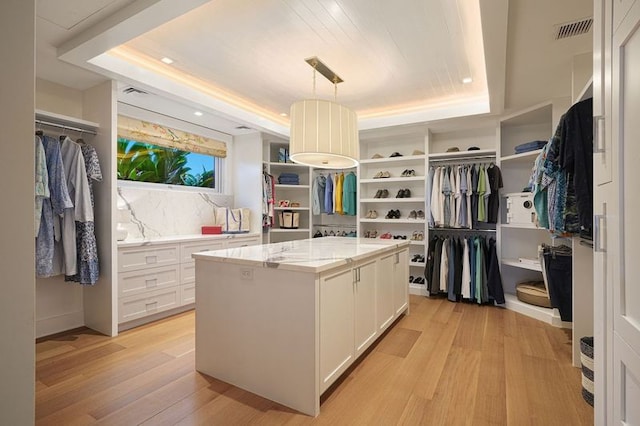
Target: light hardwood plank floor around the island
(445, 364)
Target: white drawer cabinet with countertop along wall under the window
(154, 278)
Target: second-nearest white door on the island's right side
(365, 306)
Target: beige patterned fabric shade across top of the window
(156, 134)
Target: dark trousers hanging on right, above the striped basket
(559, 278)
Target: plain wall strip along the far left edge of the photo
(17, 348)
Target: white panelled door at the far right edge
(626, 267)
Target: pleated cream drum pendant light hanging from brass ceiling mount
(324, 134)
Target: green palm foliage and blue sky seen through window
(143, 162)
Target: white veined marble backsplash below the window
(168, 210)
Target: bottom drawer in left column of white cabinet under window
(138, 306)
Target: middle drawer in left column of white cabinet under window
(136, 282)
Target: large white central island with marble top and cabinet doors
(285, 320)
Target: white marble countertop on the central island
(312, 255)
